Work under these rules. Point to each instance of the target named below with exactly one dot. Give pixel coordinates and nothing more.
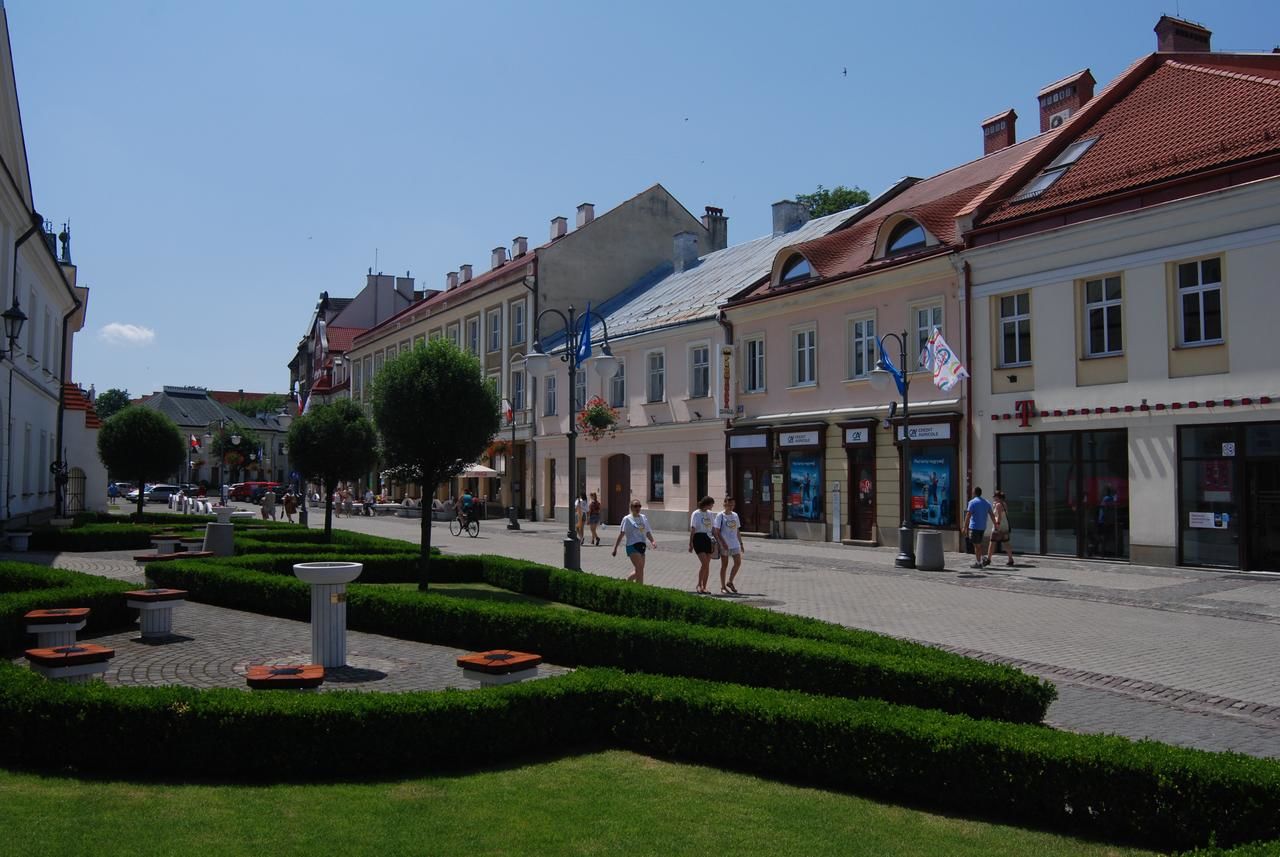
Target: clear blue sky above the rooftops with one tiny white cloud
(222, 164)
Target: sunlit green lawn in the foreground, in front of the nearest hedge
(606, 804)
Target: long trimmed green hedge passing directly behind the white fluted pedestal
(747, 657)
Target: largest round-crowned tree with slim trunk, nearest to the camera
(436, 413)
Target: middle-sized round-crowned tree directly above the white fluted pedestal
(332, 443)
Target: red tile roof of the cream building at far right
(1190, 113)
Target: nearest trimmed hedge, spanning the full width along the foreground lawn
(1091, 786)
